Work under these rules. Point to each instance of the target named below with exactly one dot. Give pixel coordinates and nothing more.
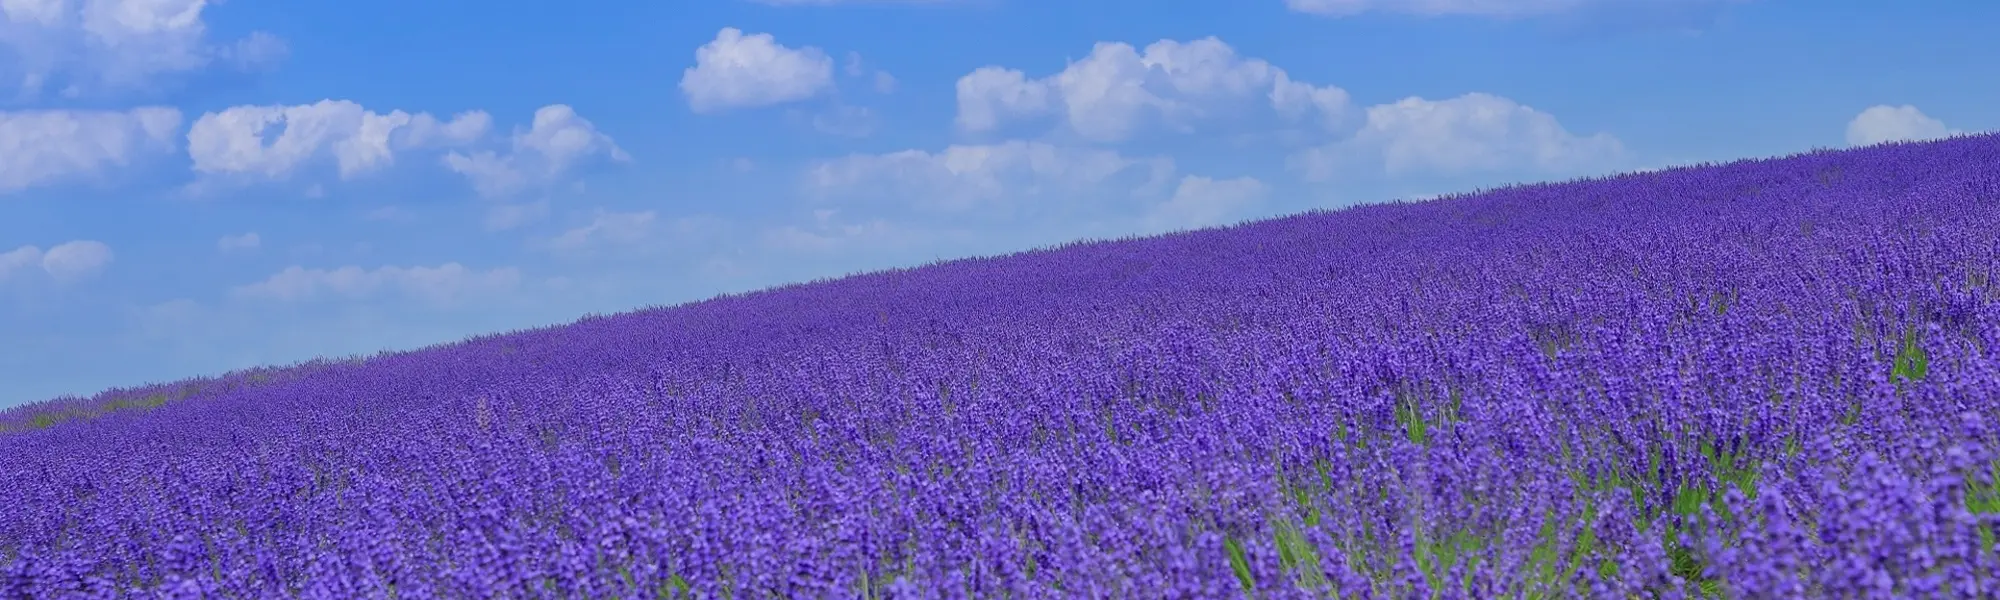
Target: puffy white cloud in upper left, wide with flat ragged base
(237, 141)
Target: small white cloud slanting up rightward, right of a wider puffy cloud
(541, 155)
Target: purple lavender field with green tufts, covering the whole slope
(1773, 379)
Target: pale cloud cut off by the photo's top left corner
(117, 45)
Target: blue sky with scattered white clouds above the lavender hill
(197, 187)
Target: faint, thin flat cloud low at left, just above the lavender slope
(439, 285)
